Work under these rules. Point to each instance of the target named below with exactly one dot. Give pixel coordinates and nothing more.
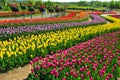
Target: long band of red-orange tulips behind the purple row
(70, 17)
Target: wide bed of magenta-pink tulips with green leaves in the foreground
(95, 59)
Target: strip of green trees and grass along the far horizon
(97, 5)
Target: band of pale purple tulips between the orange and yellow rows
(12, 31)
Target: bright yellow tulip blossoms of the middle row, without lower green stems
(21, 44)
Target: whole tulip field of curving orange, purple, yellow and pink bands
(80, 45)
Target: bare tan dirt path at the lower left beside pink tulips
(20, 73)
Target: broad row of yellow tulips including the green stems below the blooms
(22, 49)
